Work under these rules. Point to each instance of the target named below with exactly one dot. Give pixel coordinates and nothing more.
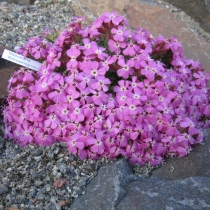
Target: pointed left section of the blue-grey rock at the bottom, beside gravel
(106, 189)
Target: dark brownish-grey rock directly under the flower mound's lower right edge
(195, 164)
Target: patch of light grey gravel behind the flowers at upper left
(18, 23)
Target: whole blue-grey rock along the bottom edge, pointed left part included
(117, 188)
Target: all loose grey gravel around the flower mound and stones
(47, 178)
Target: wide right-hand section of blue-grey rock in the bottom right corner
(155, 194)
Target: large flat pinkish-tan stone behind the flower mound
(156, 19)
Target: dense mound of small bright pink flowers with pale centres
(109, 92)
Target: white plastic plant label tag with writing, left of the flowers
(19, 59)
